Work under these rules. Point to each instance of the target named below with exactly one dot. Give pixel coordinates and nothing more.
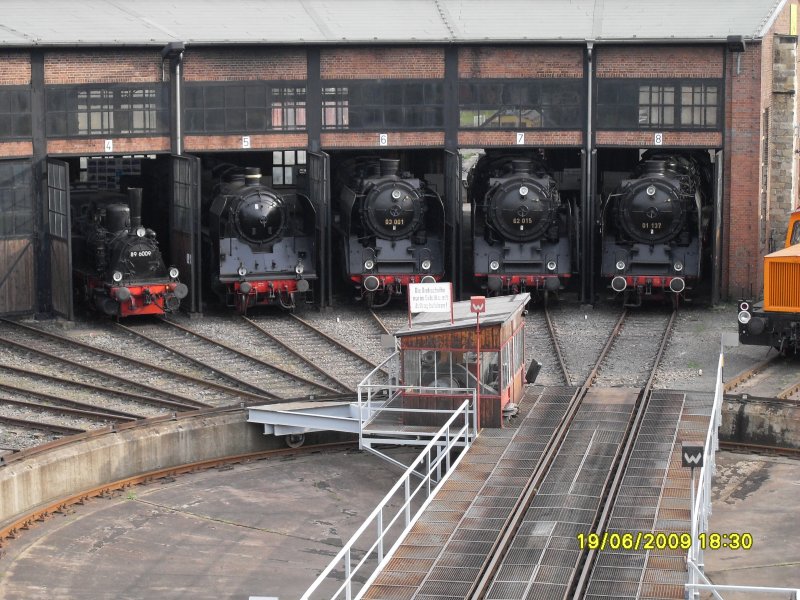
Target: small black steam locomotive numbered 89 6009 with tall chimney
(117, 265)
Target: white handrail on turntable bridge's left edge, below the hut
(376, 550)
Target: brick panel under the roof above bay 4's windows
(103, 66)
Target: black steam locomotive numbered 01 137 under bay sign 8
(655, 227)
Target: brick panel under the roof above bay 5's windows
(209, 64)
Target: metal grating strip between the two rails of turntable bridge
(544, 553)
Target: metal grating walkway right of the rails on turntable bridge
(639, 507)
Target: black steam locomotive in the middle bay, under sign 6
(391, 229)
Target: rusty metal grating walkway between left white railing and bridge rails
(443, 554)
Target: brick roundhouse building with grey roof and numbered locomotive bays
(159, 94)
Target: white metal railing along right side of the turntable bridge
(701, 510)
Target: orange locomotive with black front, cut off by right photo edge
(775, 321)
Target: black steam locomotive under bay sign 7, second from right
(521, 229)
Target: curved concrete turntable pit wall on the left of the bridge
(38, 477)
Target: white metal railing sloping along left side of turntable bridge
(364, 557)
